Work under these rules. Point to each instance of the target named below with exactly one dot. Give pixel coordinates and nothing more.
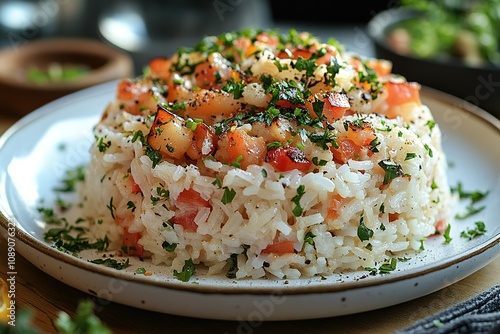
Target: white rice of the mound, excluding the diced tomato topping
(351, 215)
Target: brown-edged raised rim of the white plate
(489, 245)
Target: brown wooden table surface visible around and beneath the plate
(46, 297)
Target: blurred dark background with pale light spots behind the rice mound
(145, 29)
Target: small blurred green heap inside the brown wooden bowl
(56, 72)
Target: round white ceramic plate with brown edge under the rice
(33, 162)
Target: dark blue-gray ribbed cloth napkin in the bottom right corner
(480, 314)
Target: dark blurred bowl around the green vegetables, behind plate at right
(479, 85)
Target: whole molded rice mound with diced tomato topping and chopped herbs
(256, 153)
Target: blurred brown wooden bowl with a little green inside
(37, 72)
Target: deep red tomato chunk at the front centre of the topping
(285, 159)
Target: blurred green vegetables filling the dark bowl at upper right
(468, 30)
